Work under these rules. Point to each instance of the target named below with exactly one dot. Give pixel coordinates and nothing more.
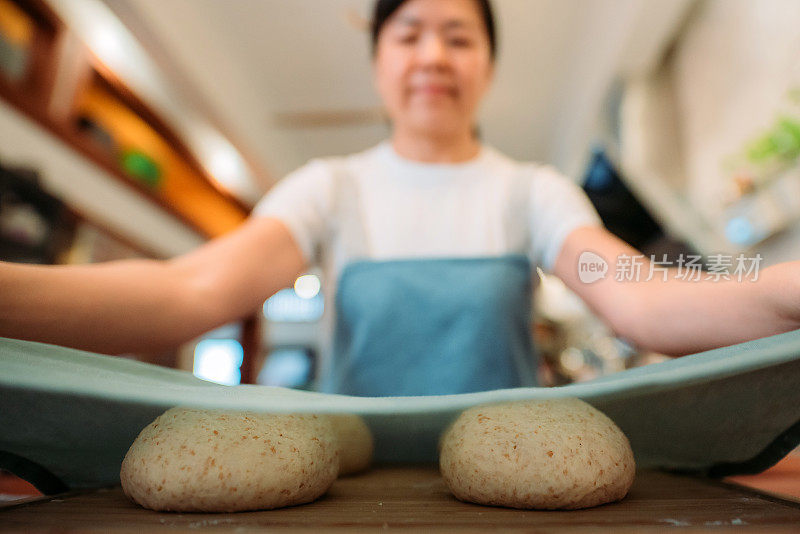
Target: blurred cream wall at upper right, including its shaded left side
(724, 84)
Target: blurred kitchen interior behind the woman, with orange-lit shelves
(142, 128)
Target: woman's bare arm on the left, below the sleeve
(145, 305)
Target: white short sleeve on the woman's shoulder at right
(558, 206)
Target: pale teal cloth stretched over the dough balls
(74, 414)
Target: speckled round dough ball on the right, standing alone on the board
(556, 454)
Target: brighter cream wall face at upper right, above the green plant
(731, 72)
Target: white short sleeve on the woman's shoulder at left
(302, 201)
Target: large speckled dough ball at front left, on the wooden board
(192, 460)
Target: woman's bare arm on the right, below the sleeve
(680, 316)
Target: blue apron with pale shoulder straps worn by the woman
(427, 326)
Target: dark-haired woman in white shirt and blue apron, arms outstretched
(426, 242)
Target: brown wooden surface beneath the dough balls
(415, 498)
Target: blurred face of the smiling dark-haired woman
(433, 65)
